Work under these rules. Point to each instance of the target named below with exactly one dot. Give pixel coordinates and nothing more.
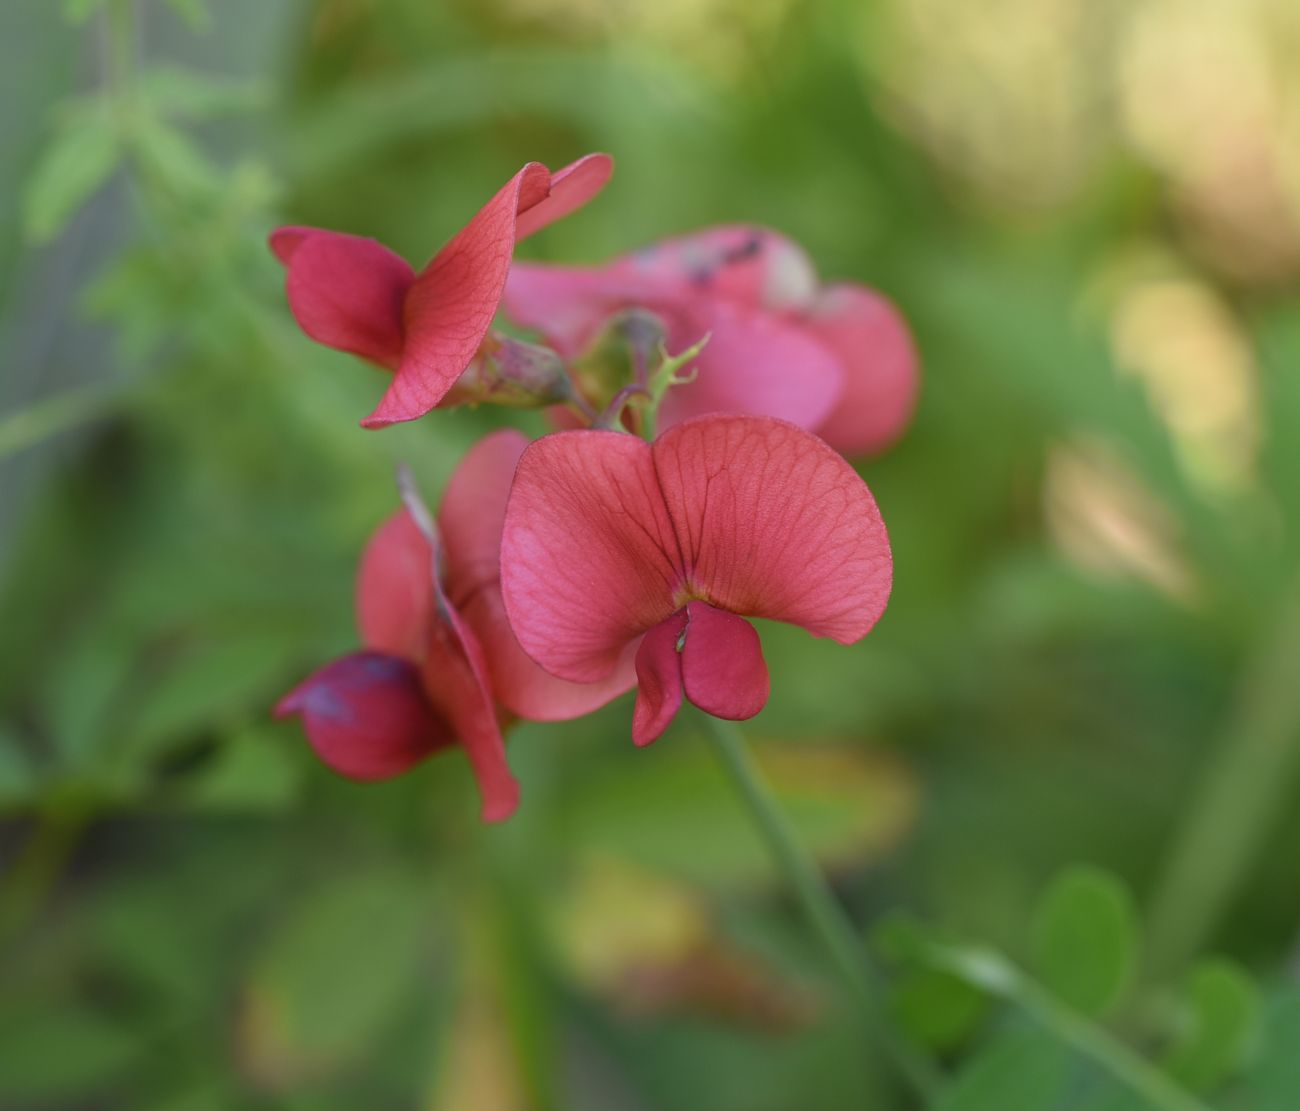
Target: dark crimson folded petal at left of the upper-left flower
(345, 292)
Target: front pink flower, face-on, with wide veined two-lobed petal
(614, 546)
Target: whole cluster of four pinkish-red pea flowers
(558, 575)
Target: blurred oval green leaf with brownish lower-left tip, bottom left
(335, 974)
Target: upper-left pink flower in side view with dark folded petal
(354, 294)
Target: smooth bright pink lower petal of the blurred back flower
(753, 363)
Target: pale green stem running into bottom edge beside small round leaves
(999, 977)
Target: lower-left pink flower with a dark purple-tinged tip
(440, 661)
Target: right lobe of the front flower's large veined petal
(772, 523)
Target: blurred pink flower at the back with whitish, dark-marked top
(837, 359)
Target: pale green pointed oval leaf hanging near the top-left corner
(73, 167)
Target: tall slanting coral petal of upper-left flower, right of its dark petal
(453, 301)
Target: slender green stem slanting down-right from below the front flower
(825, 914)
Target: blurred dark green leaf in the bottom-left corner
(64, 1056)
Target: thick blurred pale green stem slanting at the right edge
(1245, 792)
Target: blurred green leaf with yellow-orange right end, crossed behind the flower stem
(678, 813)
